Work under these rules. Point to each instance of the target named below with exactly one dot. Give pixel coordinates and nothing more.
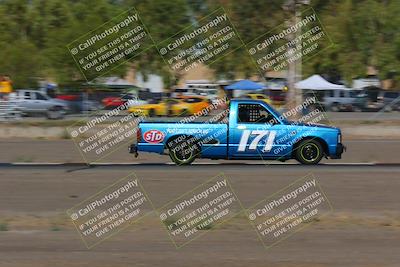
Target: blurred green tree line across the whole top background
(34, 35)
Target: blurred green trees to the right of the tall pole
(365, 33)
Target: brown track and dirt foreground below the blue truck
(362, 230)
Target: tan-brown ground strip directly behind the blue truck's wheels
(64, 151)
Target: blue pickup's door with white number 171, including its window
(254, 131)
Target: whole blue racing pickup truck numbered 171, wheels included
(249, 129)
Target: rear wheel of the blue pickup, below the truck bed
(182, 150)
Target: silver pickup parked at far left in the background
(35, 102)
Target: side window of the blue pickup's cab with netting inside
(254, 113)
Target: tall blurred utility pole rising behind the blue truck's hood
(294, 97)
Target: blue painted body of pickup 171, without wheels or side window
(227, 141)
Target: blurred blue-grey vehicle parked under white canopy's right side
(343, 100)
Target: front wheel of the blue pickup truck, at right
(309, 152)
